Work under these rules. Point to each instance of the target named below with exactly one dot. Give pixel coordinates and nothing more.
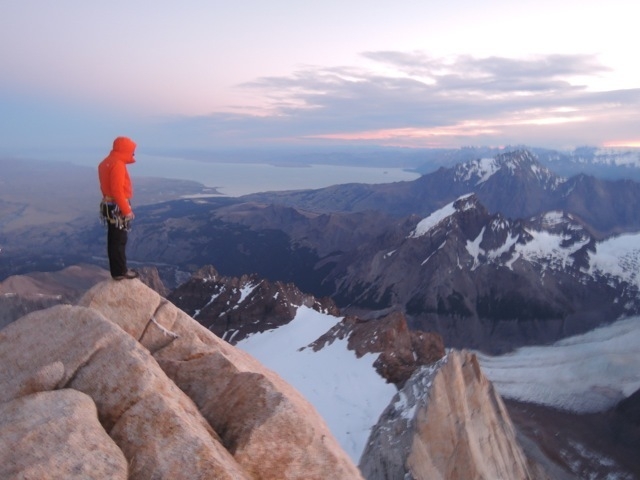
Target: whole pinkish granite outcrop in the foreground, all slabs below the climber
(171, 399)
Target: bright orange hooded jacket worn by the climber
(112, 173)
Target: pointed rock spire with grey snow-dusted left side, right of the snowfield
(446, 423)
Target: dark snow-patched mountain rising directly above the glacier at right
(487, 281)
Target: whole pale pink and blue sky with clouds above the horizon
(206, 74)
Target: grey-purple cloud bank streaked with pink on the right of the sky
(414, 99)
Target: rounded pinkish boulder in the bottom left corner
(70, 441)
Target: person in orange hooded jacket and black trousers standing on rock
(115, 207)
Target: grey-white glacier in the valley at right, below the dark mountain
(585, 373)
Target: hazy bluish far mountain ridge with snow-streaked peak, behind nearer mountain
(515, 184)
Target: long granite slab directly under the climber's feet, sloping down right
(270, 429)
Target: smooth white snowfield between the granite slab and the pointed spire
(346, 391)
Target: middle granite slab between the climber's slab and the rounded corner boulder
(155, 425)
